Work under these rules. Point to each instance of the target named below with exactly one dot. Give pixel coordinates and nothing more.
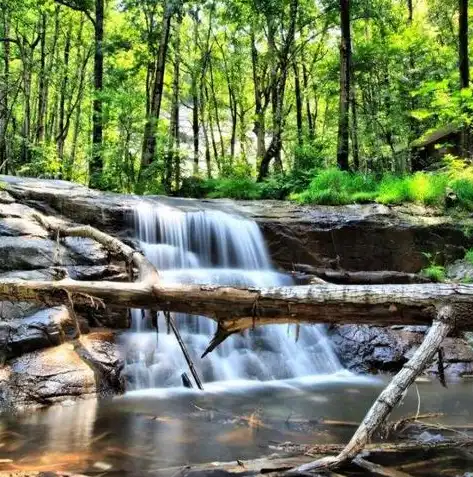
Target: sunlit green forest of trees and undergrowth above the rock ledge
(326, 102)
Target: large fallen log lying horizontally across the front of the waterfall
(237, 309)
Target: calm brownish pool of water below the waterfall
(148, 430)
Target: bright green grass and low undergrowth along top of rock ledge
(451, 187)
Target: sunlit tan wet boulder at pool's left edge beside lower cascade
(69, 371)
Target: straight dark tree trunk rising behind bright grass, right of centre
(345, 67)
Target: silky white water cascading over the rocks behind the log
(212, 247)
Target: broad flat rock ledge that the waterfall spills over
(347, 237)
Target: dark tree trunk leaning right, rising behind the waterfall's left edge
(149, 137)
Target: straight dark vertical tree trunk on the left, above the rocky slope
(96, 162)
